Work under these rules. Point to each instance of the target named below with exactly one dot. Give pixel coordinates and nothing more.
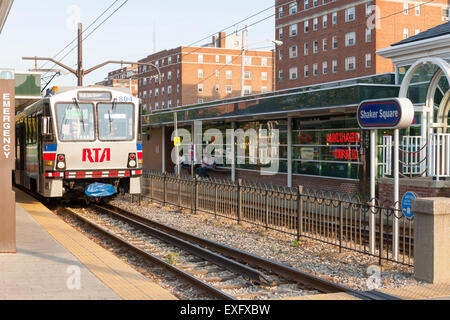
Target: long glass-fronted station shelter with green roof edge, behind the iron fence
(320, 144)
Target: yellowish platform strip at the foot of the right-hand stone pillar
(427, 291)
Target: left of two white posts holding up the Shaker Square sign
(372, 212)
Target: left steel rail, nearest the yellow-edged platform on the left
(185, 275)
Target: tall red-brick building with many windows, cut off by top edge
(331, 40)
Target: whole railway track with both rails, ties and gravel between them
(222, 271)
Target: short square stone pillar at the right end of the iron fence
(432, 239)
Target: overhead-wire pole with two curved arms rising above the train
(80, 72)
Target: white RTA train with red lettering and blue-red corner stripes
(82, 142)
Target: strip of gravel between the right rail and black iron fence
(352, 269)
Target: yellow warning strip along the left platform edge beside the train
(121, 278)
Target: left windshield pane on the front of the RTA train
(75, 121)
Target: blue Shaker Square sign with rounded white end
(393, 113)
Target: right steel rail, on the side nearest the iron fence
(298, 276)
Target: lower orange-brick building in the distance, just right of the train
(191, 75)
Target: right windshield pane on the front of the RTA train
(115, 121)
